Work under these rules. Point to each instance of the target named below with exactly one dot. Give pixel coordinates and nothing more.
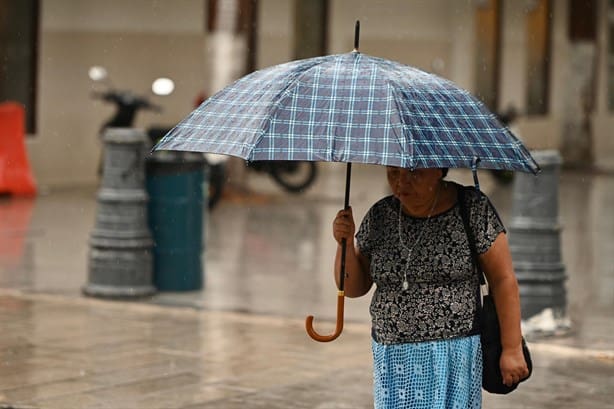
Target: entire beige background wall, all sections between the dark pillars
(139, 40)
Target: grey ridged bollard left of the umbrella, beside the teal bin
(120, 256)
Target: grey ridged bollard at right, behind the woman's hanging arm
(535, 240)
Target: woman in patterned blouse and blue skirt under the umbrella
(425, 336)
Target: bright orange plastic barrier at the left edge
(15, 175)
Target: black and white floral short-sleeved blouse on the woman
(443, 295)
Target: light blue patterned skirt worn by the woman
(444, 374)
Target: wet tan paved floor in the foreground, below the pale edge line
(65, 353)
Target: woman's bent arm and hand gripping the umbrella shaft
(358, 279)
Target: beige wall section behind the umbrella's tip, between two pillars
(418, 33)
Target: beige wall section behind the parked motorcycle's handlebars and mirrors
(137, 41)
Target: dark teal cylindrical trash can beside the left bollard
(176, 218)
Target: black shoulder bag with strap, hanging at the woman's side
(492, 381)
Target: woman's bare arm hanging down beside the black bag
(497, 266)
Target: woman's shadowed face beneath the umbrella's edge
(413, 186)
